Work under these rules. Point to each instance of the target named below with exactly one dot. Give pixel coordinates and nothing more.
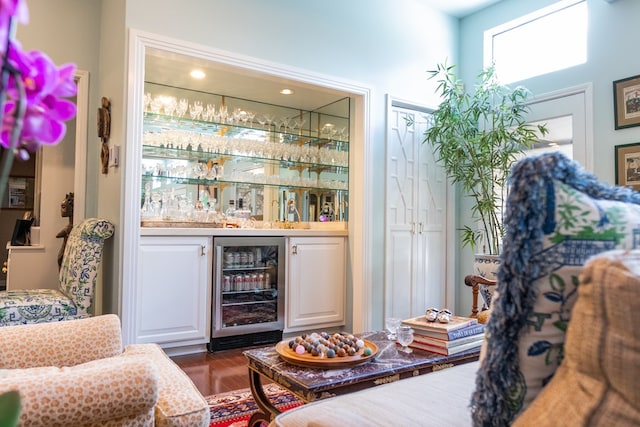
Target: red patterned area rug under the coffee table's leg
(233, 409)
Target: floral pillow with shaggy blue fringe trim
(557, 217)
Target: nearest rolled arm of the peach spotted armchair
(94, 393)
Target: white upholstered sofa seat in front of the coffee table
(437, 399)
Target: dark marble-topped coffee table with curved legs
(311, 384)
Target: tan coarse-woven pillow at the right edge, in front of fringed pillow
(597, 382)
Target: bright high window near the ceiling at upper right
(550, 39)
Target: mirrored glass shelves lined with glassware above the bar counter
(241, 160)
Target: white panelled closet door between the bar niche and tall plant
(415, 220)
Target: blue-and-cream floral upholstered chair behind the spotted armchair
(74, 297)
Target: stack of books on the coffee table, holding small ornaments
(461, 334)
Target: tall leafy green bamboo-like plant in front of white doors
(477, 137)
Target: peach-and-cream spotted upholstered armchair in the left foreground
(76, 373)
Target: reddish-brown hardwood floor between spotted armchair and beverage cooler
(216, 372)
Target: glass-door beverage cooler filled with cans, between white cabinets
(248, 292)
